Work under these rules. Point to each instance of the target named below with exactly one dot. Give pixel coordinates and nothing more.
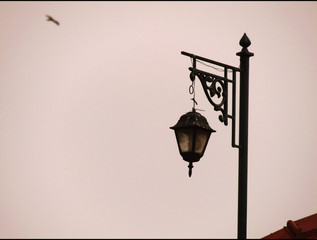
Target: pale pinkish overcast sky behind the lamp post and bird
(86, 150)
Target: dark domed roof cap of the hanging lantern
(193, 119)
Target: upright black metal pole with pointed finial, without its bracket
(243, 136)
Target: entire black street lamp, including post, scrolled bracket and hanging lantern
(192, 130)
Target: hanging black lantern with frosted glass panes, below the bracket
(192, 133)
